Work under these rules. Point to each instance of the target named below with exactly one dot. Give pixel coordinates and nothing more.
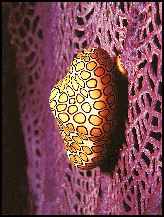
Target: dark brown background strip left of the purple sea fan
(14, 179)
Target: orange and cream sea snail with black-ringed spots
(84, 104)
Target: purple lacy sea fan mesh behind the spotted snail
(46, 37)
